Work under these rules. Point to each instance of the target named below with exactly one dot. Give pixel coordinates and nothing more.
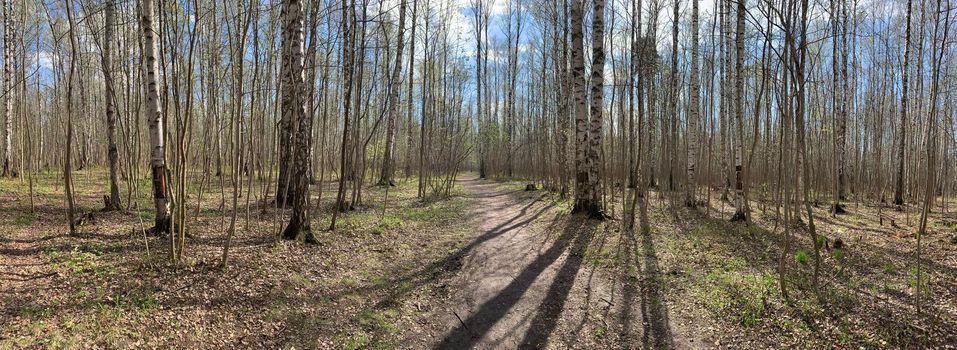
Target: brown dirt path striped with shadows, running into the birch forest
(525, 283)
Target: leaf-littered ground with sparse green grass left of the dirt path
(102, 288)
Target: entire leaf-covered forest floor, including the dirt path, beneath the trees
(492, 267)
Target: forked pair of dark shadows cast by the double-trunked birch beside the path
(471, 330)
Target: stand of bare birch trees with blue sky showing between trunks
(750, 94)
